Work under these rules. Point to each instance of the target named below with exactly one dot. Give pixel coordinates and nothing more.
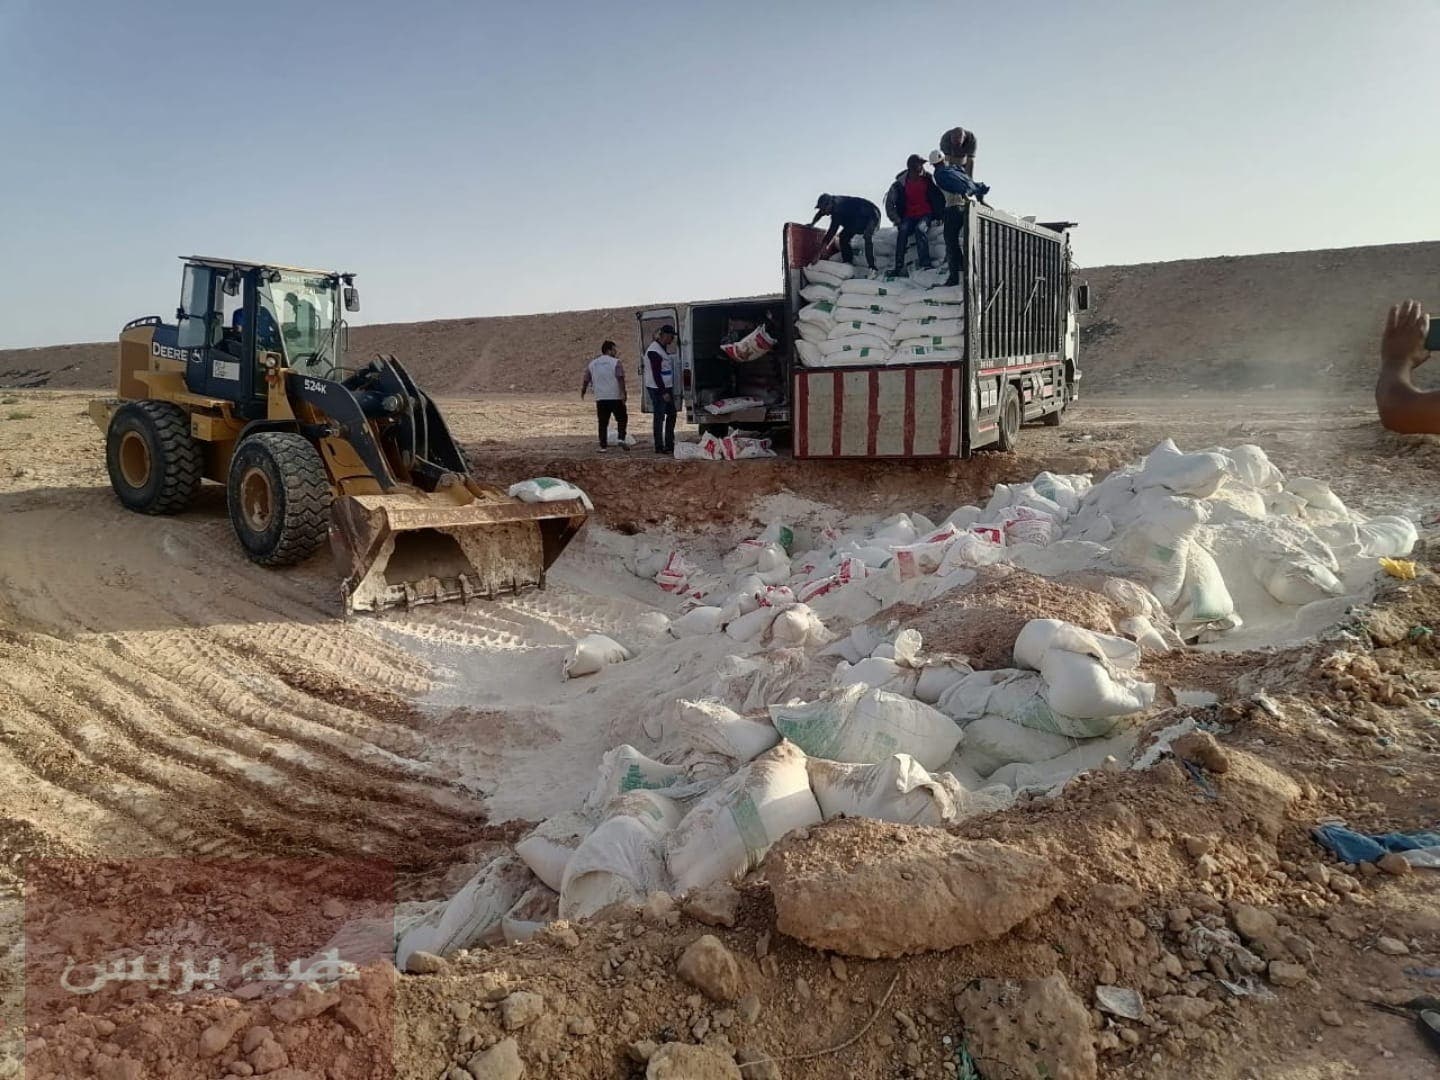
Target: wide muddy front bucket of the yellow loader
(418, 548)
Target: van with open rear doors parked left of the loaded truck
(705, 374)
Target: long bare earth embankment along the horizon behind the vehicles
(1287, 320)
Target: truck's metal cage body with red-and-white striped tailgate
(1020, 355)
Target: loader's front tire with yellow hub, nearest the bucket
(280, 499)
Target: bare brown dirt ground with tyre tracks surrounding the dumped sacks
(165, 699)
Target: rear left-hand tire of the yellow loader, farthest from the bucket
(155, 463)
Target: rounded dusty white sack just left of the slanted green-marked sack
(621, 863)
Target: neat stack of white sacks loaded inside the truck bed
(850, 319)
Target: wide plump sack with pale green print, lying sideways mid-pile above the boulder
(863, 725)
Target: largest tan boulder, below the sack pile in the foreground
(839, 892)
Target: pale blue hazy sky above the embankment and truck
(479, 159)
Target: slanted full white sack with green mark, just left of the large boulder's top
(732, 829)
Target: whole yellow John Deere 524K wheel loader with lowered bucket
(251, 390)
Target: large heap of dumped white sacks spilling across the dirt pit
(1187, 546)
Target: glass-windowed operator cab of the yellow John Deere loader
(240, 319)
